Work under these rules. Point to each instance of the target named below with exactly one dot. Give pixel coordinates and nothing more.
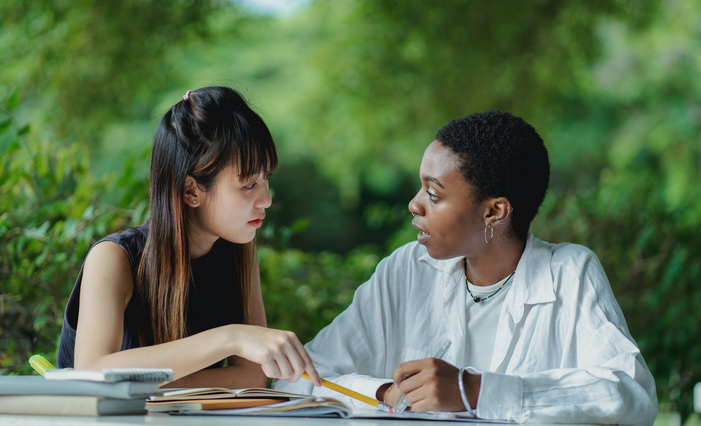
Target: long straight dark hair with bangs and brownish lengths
(210, 129)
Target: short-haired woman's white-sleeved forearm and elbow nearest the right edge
(615, 386)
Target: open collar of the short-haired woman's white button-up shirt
(532, 283)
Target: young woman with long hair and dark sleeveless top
(183, 290)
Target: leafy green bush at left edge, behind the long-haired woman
(50, 217)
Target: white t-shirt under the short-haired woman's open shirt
(482, 322)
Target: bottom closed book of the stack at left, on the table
(65, 405)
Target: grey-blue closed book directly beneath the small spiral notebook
(37, 385)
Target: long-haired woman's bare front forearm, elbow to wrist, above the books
(184, 356)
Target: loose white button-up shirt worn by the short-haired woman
(562, 352)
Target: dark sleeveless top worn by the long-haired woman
(212, 301)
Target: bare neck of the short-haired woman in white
(495, 262)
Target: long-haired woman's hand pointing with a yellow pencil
(280, 353)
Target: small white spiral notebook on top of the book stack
(113, 375)
